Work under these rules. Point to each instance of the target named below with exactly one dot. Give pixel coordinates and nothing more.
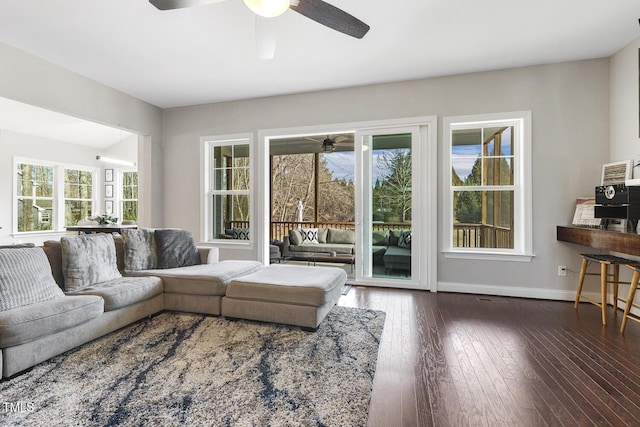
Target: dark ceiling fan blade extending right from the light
(332, 17)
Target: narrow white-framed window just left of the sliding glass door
(228, 197)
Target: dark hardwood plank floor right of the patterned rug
(466, 360)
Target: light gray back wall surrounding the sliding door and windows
(570, 143)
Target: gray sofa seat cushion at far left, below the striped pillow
(31, 322)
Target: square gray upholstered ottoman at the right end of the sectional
(288, 294)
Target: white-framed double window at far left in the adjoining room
(50, 196)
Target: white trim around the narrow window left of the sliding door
(206, 142)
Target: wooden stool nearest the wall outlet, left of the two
(605, 261)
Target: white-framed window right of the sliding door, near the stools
(489, 191)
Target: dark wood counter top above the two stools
(617, 241)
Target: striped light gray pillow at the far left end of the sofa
(25, 278)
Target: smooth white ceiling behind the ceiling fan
(206, 54)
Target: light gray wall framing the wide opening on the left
(31, 80)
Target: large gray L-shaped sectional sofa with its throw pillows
(69, 292)
